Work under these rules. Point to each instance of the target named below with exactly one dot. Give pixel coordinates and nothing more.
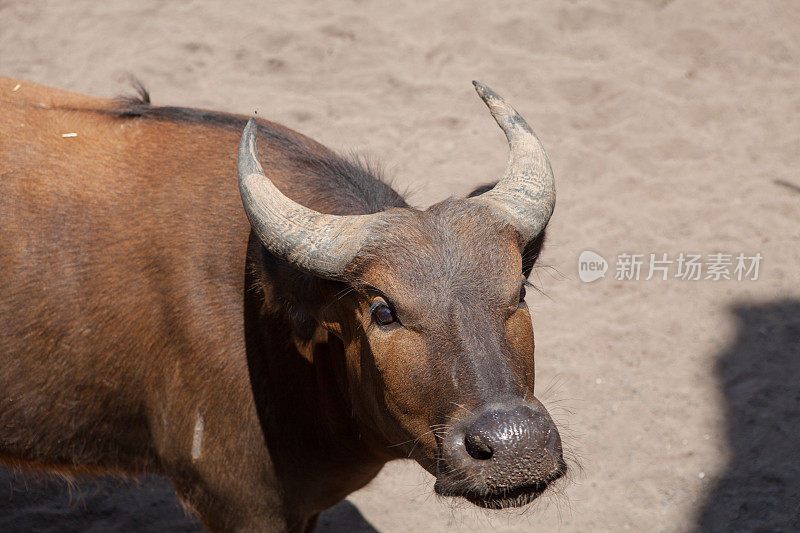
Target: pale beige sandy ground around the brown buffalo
(672, 126)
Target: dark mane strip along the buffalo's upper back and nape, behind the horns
(354, 184)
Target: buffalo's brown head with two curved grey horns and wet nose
(432, 316)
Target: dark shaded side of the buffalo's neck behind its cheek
(297, 375)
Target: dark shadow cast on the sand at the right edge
(759, 376)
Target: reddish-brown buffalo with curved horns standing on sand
(269, 360)
